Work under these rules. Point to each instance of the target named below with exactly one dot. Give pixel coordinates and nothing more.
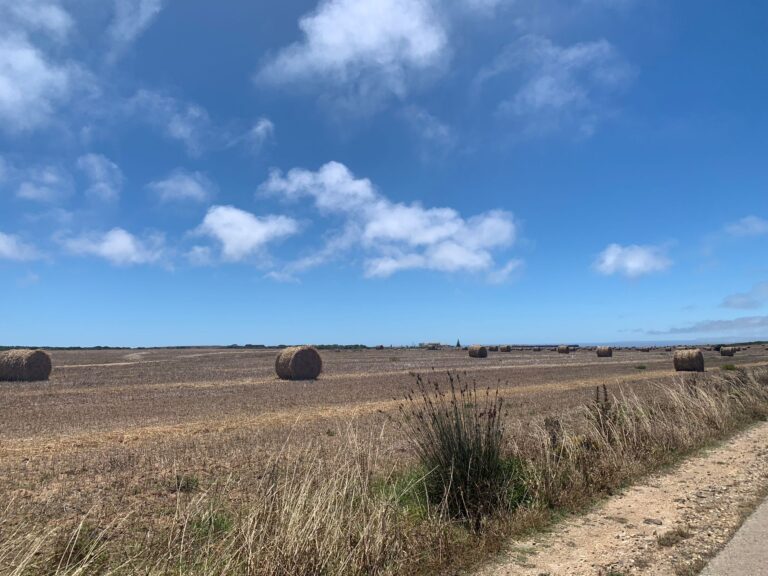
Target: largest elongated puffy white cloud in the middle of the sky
(396, 236)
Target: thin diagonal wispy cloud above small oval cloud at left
(186, 123)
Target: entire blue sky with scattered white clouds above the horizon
(382, 171)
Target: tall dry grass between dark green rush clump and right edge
(615, 439)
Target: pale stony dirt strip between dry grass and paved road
(669, 524)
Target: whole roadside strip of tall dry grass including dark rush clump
(311, 512)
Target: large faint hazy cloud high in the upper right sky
(560, 86)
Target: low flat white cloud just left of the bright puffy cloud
(118, 247)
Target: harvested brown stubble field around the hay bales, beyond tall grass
(115, 430)
